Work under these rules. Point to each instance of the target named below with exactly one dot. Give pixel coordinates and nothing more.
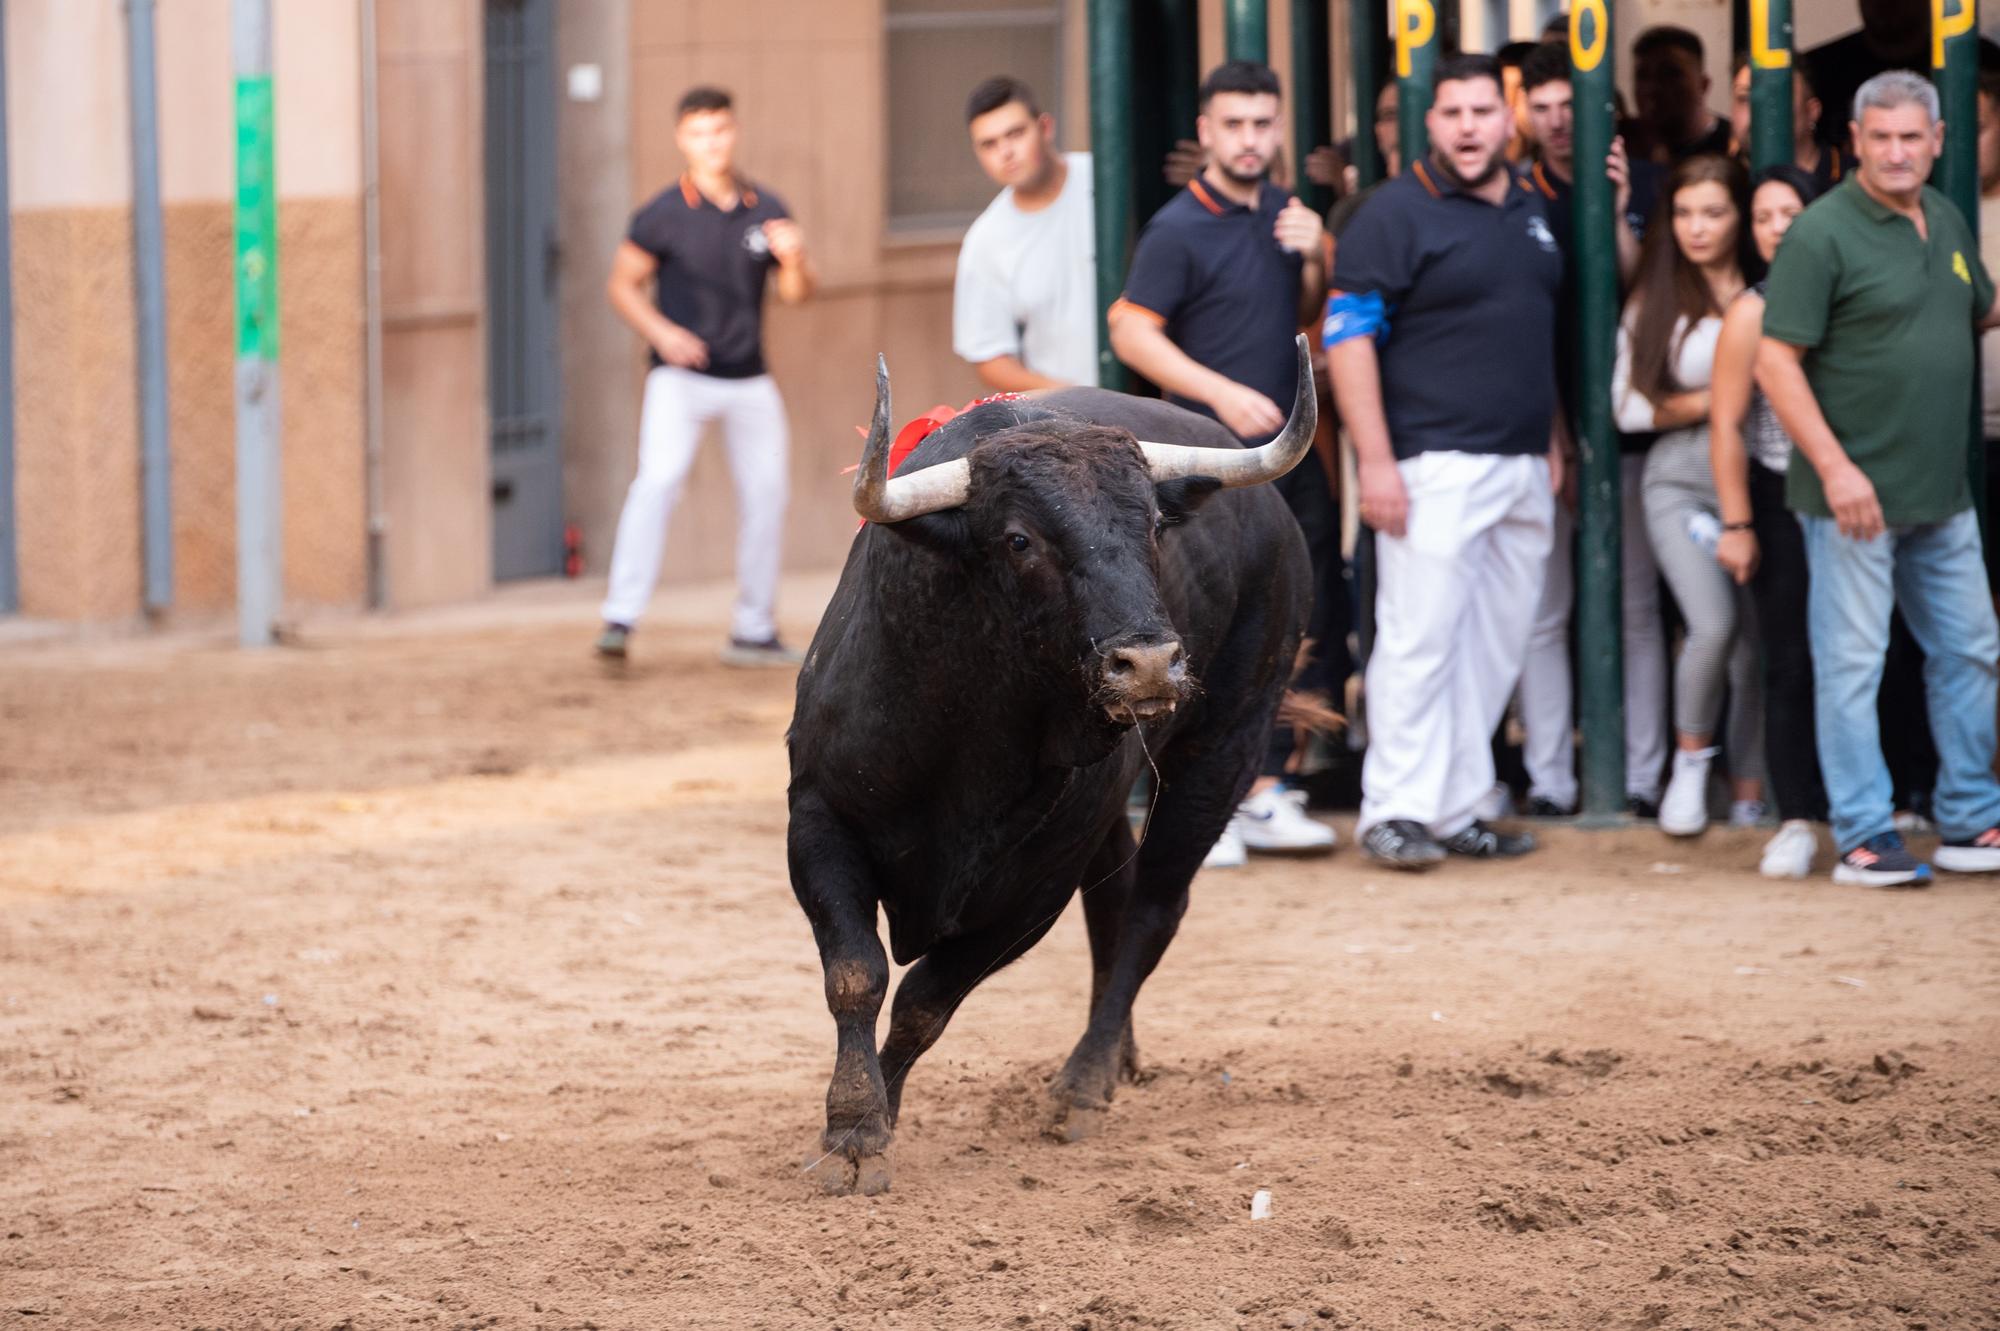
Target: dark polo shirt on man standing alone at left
(713, 269)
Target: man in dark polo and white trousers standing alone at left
(689, 279)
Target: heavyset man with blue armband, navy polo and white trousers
(1441, 343)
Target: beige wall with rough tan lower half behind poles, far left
(77, 413)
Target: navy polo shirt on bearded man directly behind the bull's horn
(1215, 277)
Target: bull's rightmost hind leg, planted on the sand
(1197, 798)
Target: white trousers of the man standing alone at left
(679, 403)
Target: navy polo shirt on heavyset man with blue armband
(1471, 299)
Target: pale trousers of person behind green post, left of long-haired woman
(1547, 692)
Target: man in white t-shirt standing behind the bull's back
(1025, 305)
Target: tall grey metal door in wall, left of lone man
(525, 371)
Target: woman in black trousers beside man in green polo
(1761, 543)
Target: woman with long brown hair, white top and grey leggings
(1691, 269)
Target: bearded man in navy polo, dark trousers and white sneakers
(1221, 283)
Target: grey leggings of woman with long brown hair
(1721, 653)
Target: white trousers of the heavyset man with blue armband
(1455, 601)
